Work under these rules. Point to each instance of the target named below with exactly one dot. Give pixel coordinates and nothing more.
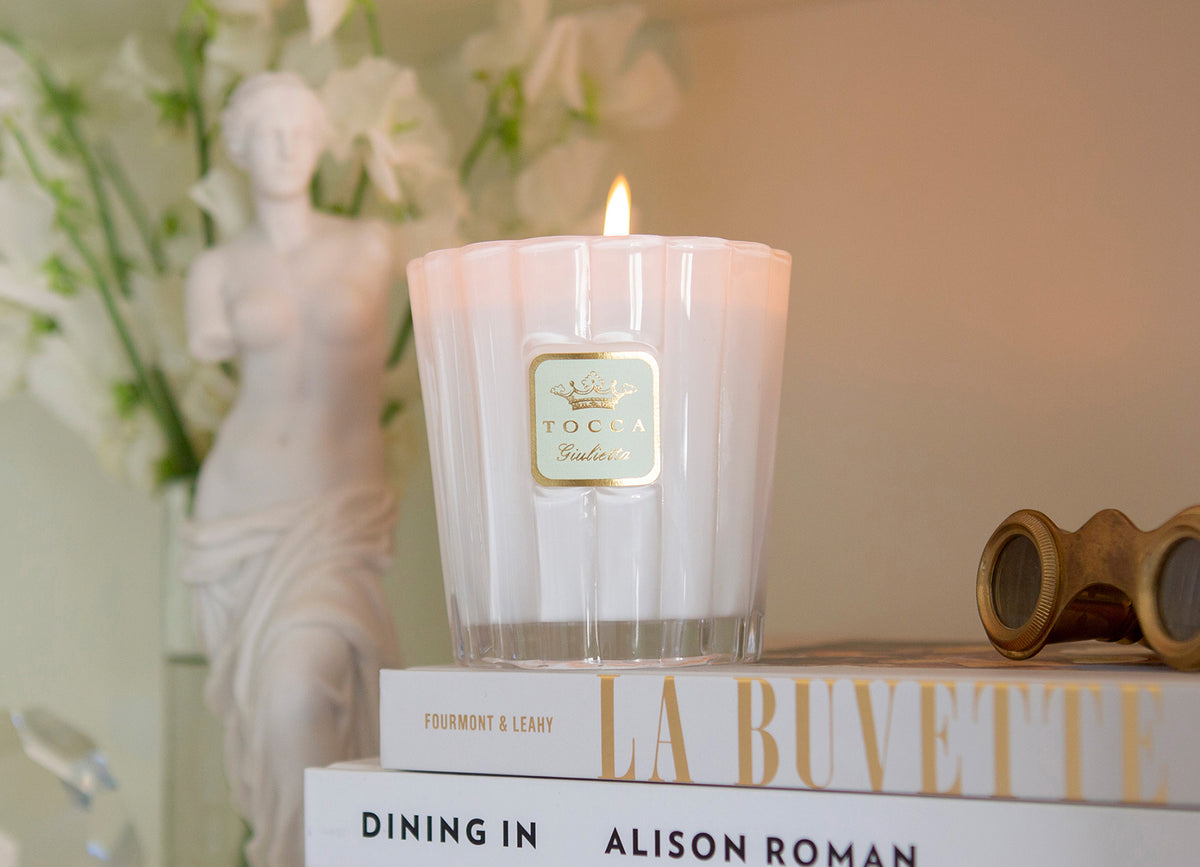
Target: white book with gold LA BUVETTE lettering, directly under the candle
(1101, 724)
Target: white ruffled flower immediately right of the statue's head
(377, 110)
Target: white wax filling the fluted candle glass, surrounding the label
(685, 547)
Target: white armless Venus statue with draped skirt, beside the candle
(293, 522)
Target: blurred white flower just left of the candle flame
(555, 193)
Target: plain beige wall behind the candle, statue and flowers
(993, 214)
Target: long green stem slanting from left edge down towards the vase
(153, 385)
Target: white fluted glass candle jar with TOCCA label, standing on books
(602, 417)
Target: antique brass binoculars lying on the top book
(1108, 581)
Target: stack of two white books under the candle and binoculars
(851, 756)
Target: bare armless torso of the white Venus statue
(309, 326)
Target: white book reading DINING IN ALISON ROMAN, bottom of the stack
(361, 816)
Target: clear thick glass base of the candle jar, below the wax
(611, 644)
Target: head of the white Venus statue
(275, 129)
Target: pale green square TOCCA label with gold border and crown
(595, 418)
